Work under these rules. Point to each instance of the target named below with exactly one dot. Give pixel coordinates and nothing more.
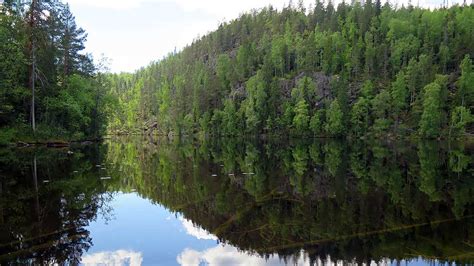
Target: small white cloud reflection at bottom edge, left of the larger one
(119, 257)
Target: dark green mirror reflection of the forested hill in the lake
(352, 201)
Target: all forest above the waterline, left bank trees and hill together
(351, 70)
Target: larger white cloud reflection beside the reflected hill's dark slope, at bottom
(229, 255)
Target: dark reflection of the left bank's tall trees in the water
(47, 198)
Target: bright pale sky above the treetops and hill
(133, 33)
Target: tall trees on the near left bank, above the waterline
(48, 86)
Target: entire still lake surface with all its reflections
(238, 202)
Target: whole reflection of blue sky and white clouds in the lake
(141, 233)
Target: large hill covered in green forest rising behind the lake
(329, 71)
